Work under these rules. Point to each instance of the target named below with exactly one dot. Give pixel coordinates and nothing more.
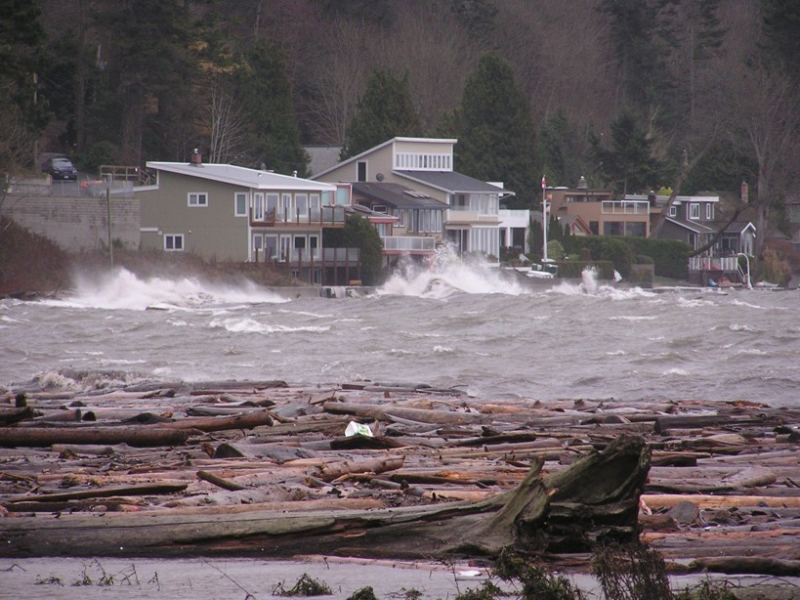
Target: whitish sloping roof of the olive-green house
(242, 176)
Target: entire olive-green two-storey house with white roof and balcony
(230, 213)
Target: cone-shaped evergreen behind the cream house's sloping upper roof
(383, 112)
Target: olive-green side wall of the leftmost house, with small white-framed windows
(212, 231)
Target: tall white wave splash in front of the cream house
(446, 275)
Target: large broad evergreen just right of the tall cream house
(496, 137)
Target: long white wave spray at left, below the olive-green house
(123, 290)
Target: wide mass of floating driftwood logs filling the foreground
(265, 468)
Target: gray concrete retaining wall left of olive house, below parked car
(77, 223)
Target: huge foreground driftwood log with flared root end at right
(596, 499)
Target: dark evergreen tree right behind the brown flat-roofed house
(629, 165)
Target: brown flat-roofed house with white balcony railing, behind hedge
(599, 211)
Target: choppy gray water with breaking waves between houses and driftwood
(456, 326)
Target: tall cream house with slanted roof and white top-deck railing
(425, 165)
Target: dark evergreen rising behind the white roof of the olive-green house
(266, 105)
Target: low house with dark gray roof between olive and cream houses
(410, 223)
